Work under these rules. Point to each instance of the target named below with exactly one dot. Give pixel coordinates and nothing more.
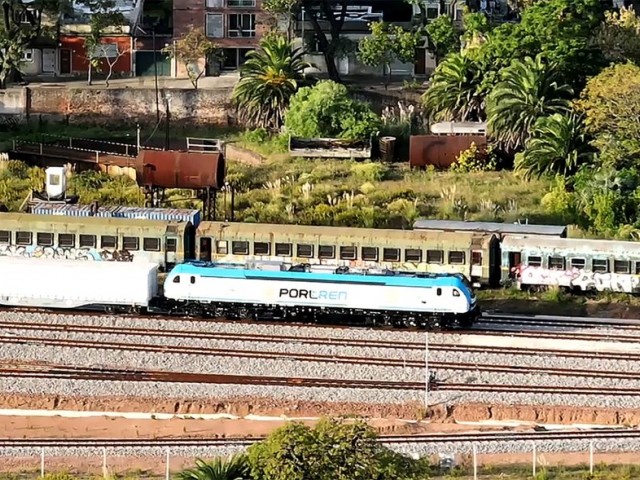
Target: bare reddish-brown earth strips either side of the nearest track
(385, 419)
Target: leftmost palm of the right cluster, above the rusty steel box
(454, 90)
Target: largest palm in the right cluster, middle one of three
(529, 89)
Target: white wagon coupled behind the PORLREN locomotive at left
(75, 283)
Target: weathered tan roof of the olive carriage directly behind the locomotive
(263, 232)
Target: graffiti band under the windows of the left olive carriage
(66, 253)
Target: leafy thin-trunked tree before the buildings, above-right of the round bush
(386, 44)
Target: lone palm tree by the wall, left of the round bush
(268, 79)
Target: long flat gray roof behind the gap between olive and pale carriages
(491, 227)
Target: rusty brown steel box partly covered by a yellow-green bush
(441, 151)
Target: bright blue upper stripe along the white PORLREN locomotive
(409, 281)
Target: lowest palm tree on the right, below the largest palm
(557, 145)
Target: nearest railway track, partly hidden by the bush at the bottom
(442, 439)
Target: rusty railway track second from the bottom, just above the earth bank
(80, 373)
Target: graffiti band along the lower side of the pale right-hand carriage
(578, 278)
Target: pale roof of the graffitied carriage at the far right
(568, 246)
